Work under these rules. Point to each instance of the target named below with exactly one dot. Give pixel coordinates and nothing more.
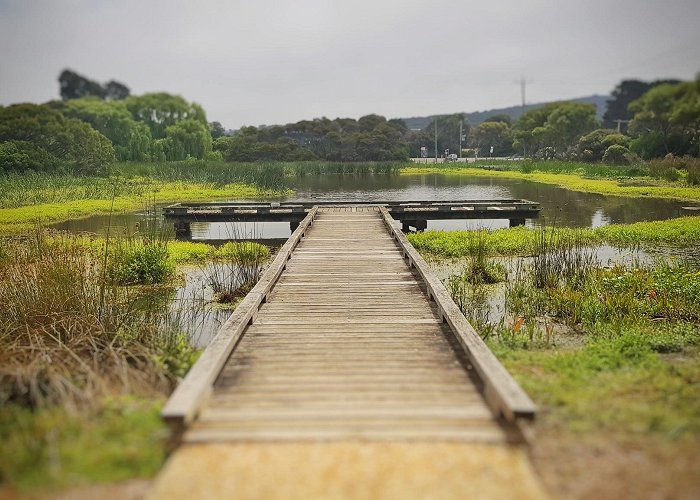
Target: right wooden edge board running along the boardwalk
(502, 393)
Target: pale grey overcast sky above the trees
(263, 62)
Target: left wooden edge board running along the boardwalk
(183, 405)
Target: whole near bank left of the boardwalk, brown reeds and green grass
(90, 349)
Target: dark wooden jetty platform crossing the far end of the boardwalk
(415, 214)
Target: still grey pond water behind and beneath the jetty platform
(559, 206)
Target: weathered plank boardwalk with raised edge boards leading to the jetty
(347, 336)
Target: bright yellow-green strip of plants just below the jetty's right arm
(681, 232)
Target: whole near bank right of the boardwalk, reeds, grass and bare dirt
(610, 355)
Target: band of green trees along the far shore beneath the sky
(95, 124)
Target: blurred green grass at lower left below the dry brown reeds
(52, 448)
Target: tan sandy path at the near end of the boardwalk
(347, 470)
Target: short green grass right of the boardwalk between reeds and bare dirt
(617, 384)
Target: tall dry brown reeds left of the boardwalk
(68, 335)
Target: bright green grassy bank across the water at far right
(575, 179)
